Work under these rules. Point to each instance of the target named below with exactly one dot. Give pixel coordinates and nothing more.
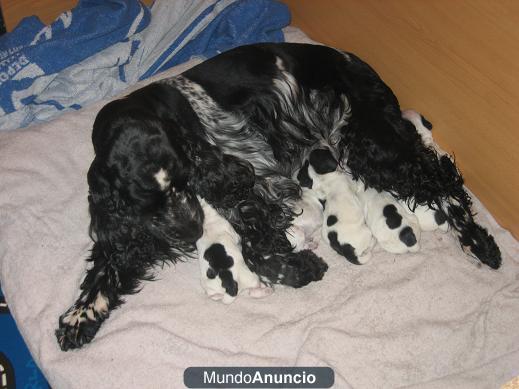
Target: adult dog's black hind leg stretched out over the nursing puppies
(386, 152)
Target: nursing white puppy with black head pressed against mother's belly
(344, 228)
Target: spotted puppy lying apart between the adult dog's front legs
(223, 271)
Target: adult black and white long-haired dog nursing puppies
(234, 130)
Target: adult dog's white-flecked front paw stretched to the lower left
(77, 327)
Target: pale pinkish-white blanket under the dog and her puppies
(427, 320)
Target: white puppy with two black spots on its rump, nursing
(395, 229)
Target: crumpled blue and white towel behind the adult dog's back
(103, 46)
